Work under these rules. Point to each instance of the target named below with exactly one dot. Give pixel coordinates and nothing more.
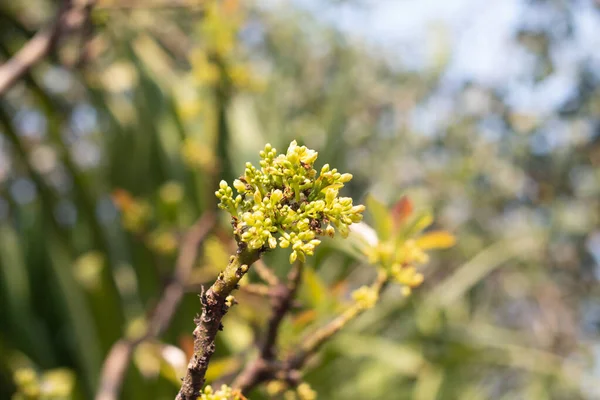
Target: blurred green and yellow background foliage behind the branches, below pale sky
(104, 165)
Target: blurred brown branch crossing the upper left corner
(72, 15)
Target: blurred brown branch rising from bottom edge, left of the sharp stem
(117, 361)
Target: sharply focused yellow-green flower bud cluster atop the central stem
(286, 200)
